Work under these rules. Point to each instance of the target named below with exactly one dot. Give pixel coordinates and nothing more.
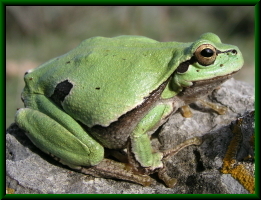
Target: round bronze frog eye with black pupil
(205, 54)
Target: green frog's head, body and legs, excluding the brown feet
(108, 91)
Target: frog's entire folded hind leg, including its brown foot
(59, 135)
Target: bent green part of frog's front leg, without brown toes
(140, 141)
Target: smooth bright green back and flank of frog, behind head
(103, 78)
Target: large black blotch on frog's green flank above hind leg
(61, 90)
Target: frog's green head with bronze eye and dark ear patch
(208, 63)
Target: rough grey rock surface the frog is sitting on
(197, 168)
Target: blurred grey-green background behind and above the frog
(35, 34)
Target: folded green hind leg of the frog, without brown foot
(74, 148)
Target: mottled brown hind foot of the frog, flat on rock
(111, 169)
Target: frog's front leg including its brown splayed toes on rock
(140, 151)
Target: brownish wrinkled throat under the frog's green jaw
(202, 87)
